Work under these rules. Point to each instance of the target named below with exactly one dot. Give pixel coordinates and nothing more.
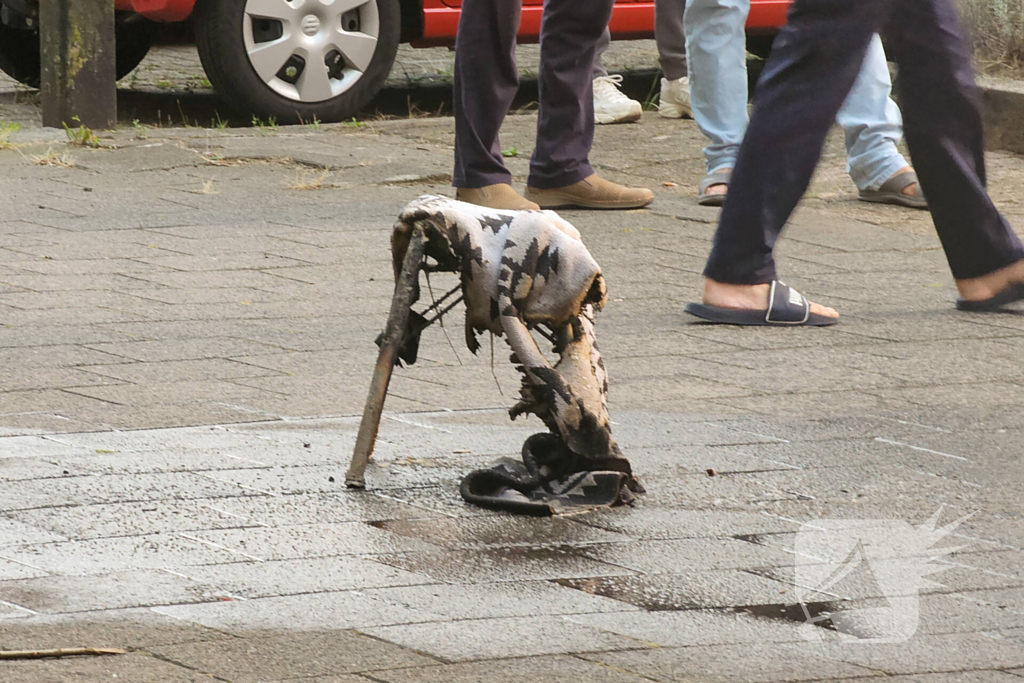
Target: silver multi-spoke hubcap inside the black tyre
(311, 51)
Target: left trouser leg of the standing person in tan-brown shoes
(486, 82)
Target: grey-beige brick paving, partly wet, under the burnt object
(187, 324)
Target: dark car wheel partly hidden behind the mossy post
(20, 49)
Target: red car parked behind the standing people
(255, 53)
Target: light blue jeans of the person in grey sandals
(717, 58)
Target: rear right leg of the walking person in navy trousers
(946, 138)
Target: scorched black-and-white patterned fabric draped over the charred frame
(523, 271)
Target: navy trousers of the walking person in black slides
(814, 65)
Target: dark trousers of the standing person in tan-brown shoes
(487, 80)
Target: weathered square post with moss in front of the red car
(79, 77)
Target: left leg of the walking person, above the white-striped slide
(816, 61)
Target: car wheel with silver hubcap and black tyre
(298, 61)
